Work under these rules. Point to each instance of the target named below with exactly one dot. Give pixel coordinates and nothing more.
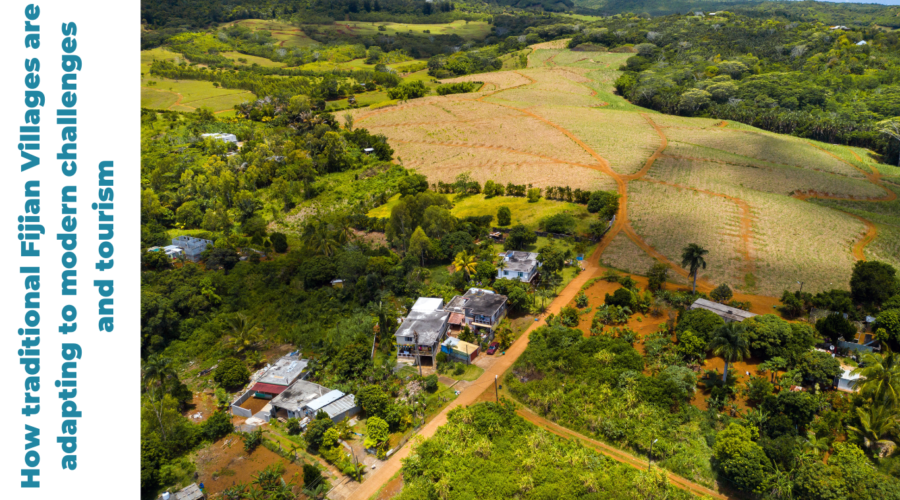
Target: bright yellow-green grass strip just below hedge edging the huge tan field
(528, 214)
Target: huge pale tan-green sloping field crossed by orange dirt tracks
(772, 209)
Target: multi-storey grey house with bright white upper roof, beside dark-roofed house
(422, 330)
